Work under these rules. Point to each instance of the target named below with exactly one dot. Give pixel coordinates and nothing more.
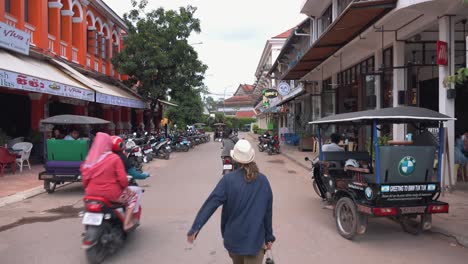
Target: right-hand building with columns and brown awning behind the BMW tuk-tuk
(359, 55)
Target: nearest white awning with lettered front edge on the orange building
(34, 75)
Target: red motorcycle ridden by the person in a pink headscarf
(103, 221)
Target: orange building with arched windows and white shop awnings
(55, 59)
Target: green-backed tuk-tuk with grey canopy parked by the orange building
(63, 158)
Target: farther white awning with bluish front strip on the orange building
(105, 93)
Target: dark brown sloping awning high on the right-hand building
(357, 17)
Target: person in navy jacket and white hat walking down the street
(247, 199)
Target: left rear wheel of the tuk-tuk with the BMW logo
(348, 220)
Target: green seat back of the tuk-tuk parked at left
(67, 150)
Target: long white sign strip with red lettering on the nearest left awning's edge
(29, 83)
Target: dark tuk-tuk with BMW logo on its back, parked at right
(397, 180)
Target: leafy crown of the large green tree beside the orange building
(157, 56)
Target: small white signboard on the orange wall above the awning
(14, 39)
